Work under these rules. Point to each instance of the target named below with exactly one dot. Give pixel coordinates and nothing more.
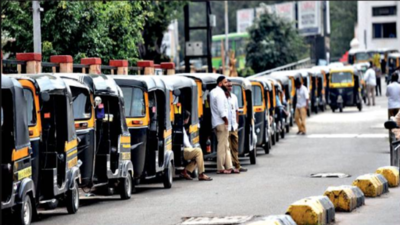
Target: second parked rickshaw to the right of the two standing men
(261, 102)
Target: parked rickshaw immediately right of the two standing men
(243, 90)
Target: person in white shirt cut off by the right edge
(393, 94)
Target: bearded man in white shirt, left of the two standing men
(219, 119)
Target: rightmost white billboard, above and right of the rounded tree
(309, 17)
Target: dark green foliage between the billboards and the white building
(343, 18)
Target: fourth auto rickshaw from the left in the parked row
(147, 112)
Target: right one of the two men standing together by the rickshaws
(233, 119)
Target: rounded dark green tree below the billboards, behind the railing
(273, 42)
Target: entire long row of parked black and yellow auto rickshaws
(105, 134)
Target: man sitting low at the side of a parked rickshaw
(195, 155)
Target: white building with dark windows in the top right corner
(378, 24)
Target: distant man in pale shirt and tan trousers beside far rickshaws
(301, 106)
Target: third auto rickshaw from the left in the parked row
(103, 134)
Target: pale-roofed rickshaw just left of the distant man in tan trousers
(288, 93)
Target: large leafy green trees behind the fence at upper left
(109, 30)
